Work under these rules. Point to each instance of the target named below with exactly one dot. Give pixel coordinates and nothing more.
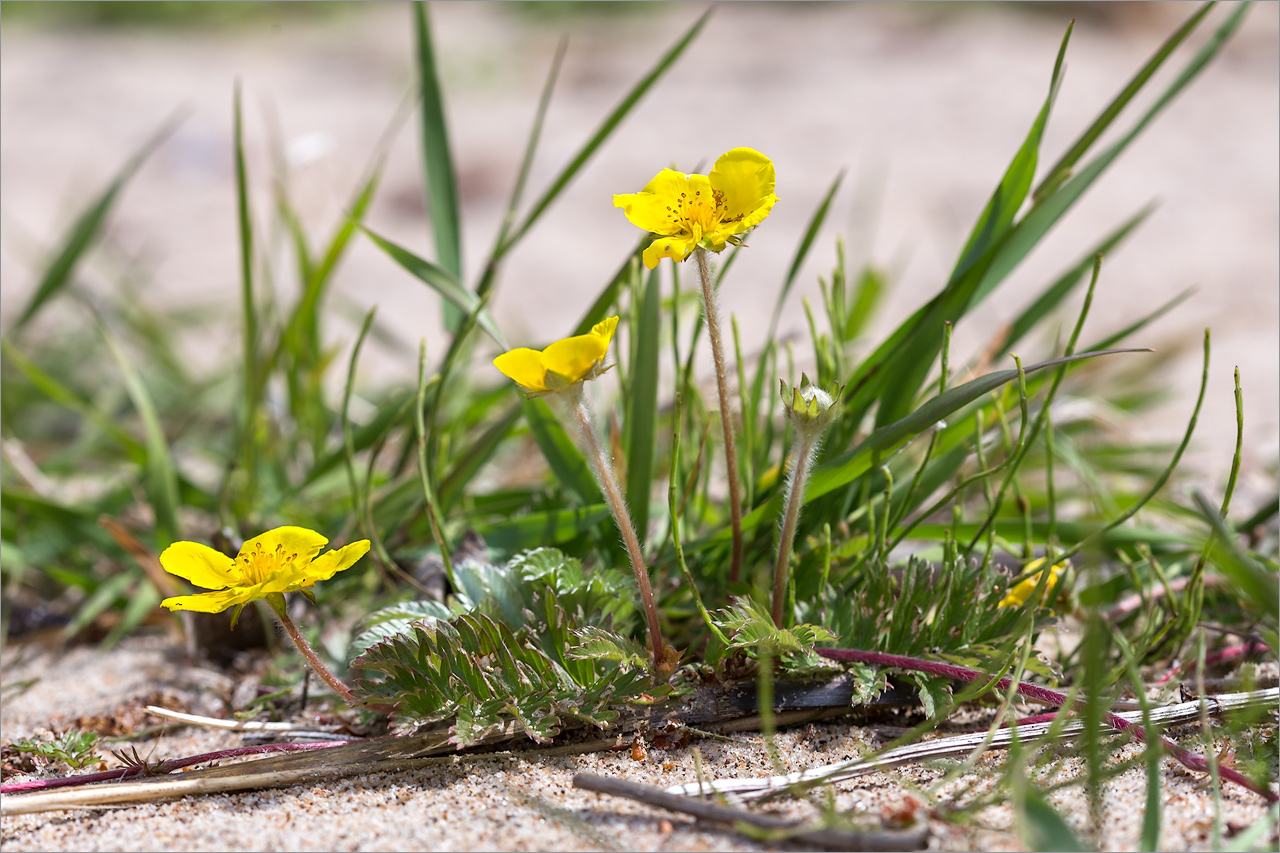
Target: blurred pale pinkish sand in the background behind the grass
(922, 104)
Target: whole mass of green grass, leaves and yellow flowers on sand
(885, 517)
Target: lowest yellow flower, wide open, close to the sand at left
(272, 564)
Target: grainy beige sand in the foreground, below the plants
(523, 801)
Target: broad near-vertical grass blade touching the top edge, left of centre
(442, 199)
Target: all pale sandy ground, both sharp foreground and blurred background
(922, 104)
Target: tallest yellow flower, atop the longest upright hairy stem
(691, 211)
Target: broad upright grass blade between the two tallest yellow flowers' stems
(642, 404)
